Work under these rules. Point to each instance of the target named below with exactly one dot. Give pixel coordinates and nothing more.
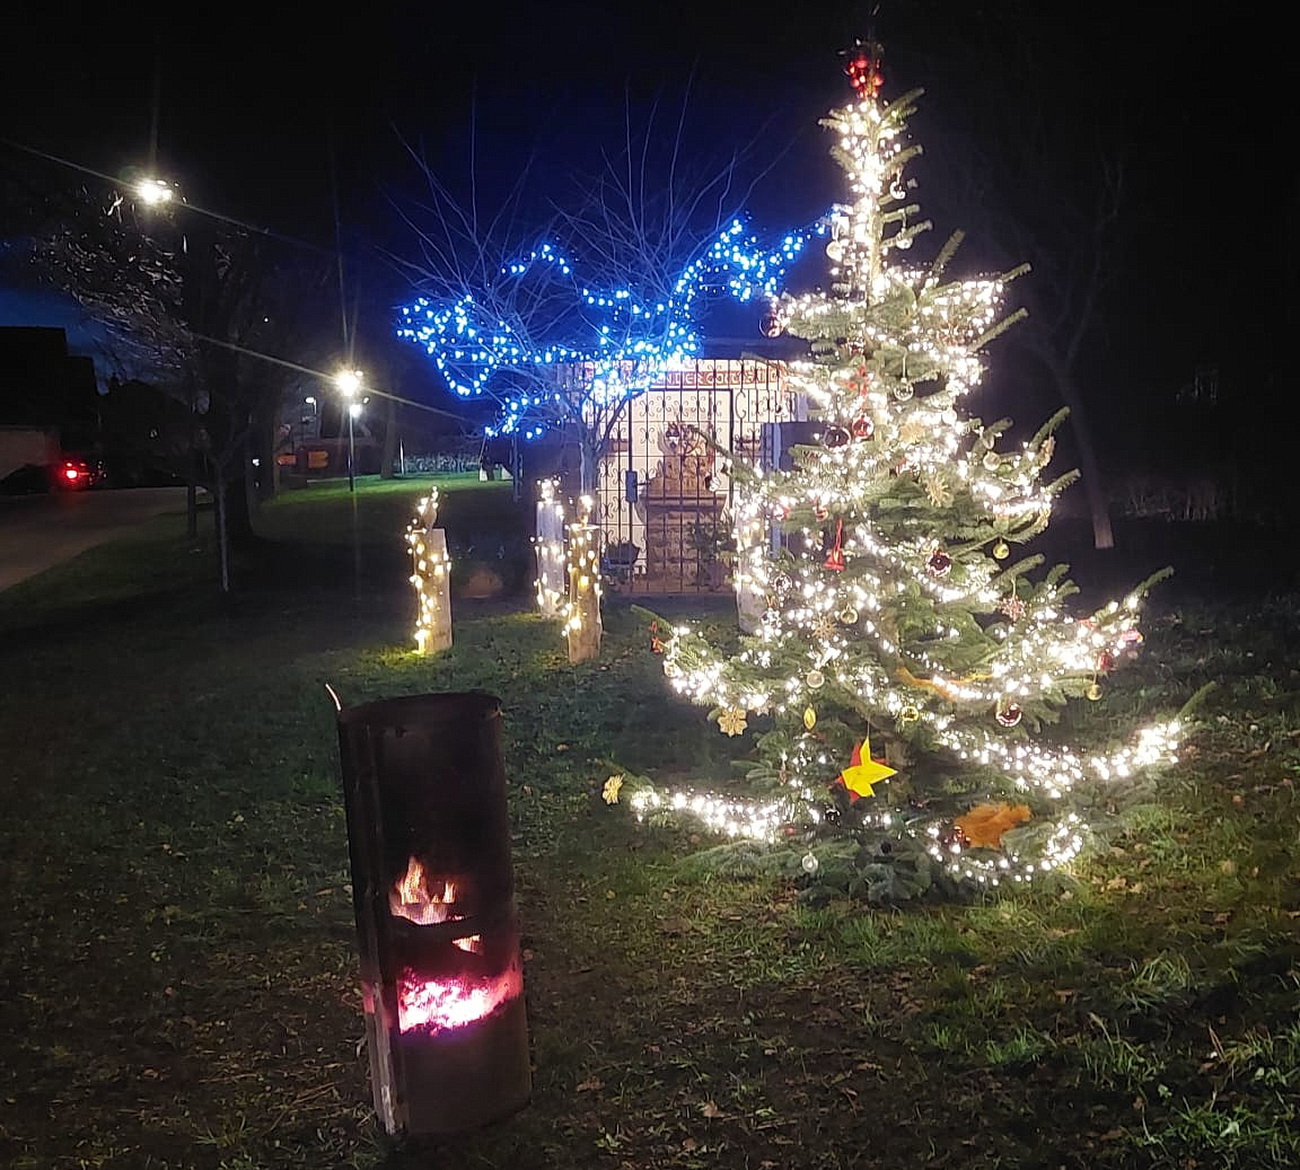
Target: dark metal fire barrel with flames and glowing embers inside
(434, 890)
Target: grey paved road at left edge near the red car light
(42, 531)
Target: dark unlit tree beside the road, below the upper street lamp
(196, 311)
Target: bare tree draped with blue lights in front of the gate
(565, 314)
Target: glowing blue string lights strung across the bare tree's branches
(627, 341)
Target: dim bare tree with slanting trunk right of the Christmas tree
(1033, 164)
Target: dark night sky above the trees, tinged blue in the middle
(253, 106)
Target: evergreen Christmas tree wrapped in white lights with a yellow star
(905, 658)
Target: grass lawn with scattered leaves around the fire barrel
(179, 959)
